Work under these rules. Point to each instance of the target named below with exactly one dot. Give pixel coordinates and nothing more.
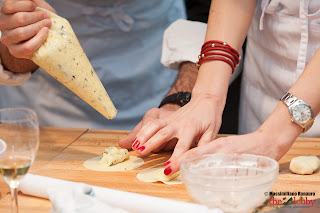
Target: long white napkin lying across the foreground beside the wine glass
(66, 194)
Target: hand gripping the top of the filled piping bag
(23, 27)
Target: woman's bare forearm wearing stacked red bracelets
(229, 22)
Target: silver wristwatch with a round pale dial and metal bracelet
(300, 112)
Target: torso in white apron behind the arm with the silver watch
(283, 36)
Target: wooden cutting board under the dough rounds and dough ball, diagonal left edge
(68, 165)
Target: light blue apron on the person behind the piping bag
(123, 41)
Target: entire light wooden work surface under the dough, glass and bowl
(71, 151)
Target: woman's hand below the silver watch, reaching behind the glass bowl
(273, 139)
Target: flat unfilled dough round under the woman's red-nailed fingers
(156, 174)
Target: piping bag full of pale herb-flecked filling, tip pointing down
(62, 56)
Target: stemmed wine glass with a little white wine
(19, 131)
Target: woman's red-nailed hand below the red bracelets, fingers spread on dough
(200, 118)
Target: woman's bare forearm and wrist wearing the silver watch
(307, 87)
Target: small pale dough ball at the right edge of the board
(304, 165)
